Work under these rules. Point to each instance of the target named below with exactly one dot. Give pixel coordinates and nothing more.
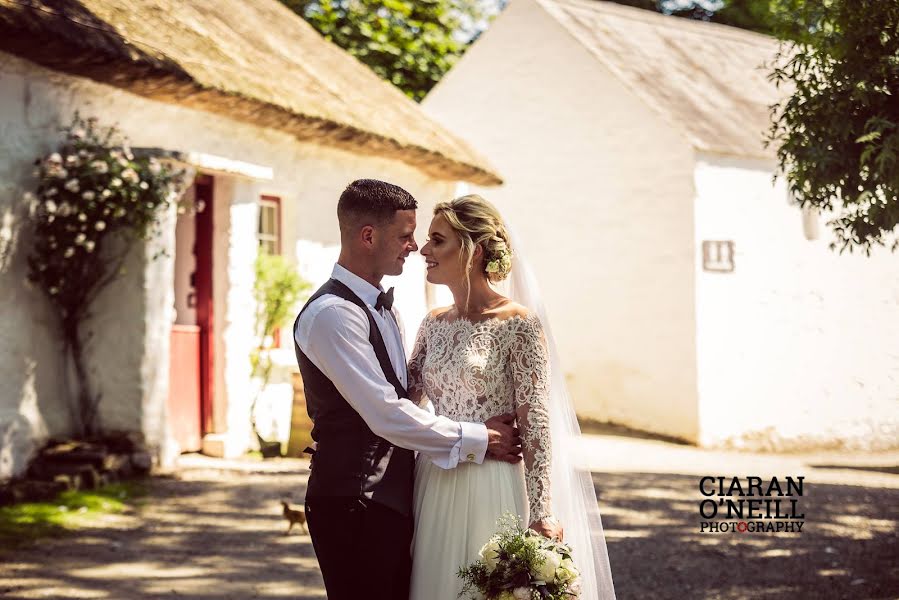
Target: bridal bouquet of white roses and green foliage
(521, 564)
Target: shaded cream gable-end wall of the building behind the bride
(600, 188)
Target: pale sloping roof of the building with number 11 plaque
(705, 79)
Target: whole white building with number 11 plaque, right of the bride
(689, 296)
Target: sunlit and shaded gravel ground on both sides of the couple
(213, 529)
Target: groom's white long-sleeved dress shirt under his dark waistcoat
(333, 334)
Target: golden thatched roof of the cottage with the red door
(255, 62)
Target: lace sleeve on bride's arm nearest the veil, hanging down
(529, 362)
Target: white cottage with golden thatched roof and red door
(274, 120)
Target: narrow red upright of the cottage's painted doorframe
(203, 286)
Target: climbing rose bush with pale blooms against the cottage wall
(94, 200)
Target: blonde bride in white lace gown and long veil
(489, 354)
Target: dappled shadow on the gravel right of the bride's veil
(847, 548)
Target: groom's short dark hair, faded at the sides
(371, 202)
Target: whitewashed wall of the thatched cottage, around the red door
(130, 350)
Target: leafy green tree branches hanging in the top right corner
(837, 134)
